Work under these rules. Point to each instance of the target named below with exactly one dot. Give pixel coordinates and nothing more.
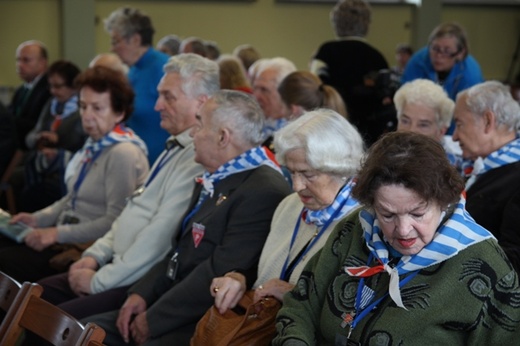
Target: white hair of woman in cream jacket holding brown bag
(332, 145)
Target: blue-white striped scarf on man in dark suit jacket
(248, 160)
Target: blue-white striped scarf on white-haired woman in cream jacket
(343, 200)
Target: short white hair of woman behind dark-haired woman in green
(424, 92)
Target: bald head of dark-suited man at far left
(31, 60)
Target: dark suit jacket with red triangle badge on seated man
(237, 220)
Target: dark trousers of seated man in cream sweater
(56, 290)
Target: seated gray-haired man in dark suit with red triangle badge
(224, 230)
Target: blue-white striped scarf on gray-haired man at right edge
(509, 153)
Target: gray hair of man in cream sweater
(200, 76)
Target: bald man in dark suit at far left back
(29, 99)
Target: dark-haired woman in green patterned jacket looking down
(411, 267)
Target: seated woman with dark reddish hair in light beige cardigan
(109, 167)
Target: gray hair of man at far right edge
(496, 97)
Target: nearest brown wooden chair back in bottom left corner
(50, 323)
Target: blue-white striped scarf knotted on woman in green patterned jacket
(456, 234)
